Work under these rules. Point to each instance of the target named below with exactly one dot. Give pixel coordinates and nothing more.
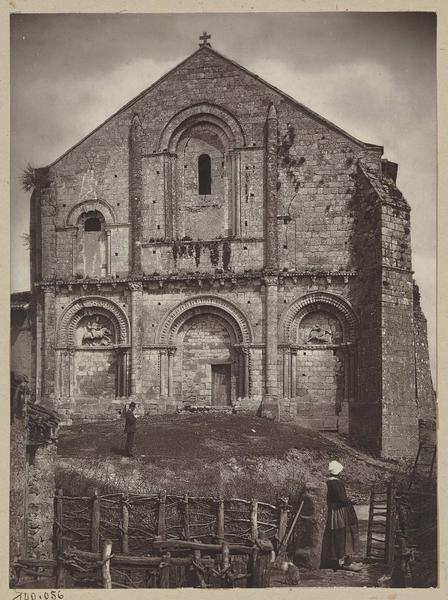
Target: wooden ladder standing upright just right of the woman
(382, 524)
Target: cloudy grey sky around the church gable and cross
(373, 74)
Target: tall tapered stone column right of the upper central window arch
(270, 190)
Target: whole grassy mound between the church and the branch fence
(210, 455)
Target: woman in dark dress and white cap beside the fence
(341, 535)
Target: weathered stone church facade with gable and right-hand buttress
(216, 243)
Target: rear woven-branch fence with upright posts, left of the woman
(132, 522)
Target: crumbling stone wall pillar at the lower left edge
(32, 479)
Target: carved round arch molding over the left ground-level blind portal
(95, 305)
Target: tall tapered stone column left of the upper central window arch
(135, 194)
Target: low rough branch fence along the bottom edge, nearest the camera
(175, 563)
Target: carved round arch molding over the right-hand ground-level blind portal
(338, 307)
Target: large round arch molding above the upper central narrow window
(200, 113)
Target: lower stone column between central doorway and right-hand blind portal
(270, 406)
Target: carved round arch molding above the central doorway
(204, 305)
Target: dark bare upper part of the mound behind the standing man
(189, 436)
